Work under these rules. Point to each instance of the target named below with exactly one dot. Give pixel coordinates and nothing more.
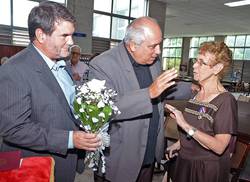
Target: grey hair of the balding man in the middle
(136, 31)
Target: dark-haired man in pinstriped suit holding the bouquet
(36, 101)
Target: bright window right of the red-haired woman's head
(240, 46)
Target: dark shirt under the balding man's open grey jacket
(144, 78)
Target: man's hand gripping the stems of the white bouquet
(86, 141)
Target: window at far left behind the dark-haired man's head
(14, 25)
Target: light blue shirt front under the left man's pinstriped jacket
(64, 81)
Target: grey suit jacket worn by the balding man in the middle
(128, 134)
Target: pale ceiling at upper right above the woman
(205, 17)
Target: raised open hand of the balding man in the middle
(162, 82)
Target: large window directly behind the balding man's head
(120, 13)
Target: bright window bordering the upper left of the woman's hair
(195, 44)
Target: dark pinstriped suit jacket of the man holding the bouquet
(34, 113)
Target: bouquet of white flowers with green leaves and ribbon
(94, 107)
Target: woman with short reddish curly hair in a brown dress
(208, 124)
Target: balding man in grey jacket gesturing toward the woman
(137, 134)
